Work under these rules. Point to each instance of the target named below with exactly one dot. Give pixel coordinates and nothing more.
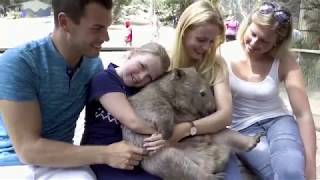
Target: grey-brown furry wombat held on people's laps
(182, 95)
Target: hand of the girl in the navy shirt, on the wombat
(154, 142)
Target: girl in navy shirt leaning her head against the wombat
(108, 108)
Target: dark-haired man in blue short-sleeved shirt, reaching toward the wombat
(43, 88)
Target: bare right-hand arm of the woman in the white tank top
(293, 80)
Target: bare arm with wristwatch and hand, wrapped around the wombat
(214, 122)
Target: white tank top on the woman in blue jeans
(256, 101)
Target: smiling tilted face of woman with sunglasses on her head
(259, 40)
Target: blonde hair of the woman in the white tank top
(283, 30)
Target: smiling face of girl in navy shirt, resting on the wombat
(141, 69)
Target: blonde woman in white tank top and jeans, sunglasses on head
(263, 61)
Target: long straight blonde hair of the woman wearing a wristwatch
(197, 14)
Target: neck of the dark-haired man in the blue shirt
(65, 49)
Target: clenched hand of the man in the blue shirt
(124, 156)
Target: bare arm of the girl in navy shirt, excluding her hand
(118, 105)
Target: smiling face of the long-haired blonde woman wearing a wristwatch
(198, 40)
